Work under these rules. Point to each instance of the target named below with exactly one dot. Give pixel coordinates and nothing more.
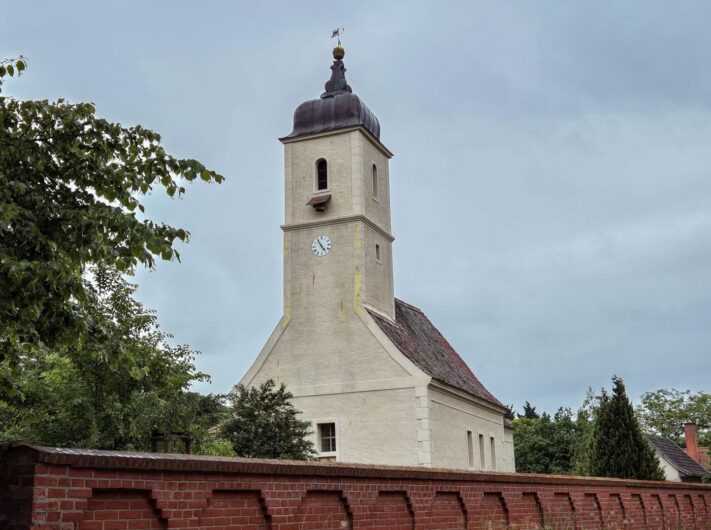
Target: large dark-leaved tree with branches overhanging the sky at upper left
(71, 186)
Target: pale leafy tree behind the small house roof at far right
(665, 411)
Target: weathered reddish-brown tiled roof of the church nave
(417, 338)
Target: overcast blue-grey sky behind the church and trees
(551, 185)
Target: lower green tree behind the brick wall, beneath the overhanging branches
(115, 390)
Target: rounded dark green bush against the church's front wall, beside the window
(264, 424)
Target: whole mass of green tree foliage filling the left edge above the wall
(82, 362)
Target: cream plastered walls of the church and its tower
(327, 349)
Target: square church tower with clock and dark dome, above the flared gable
(337, 207)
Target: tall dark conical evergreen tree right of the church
(618, 447)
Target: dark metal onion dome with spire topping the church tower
(337, 108)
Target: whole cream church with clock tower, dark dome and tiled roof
(378, 382)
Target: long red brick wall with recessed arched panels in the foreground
(63, 489)
